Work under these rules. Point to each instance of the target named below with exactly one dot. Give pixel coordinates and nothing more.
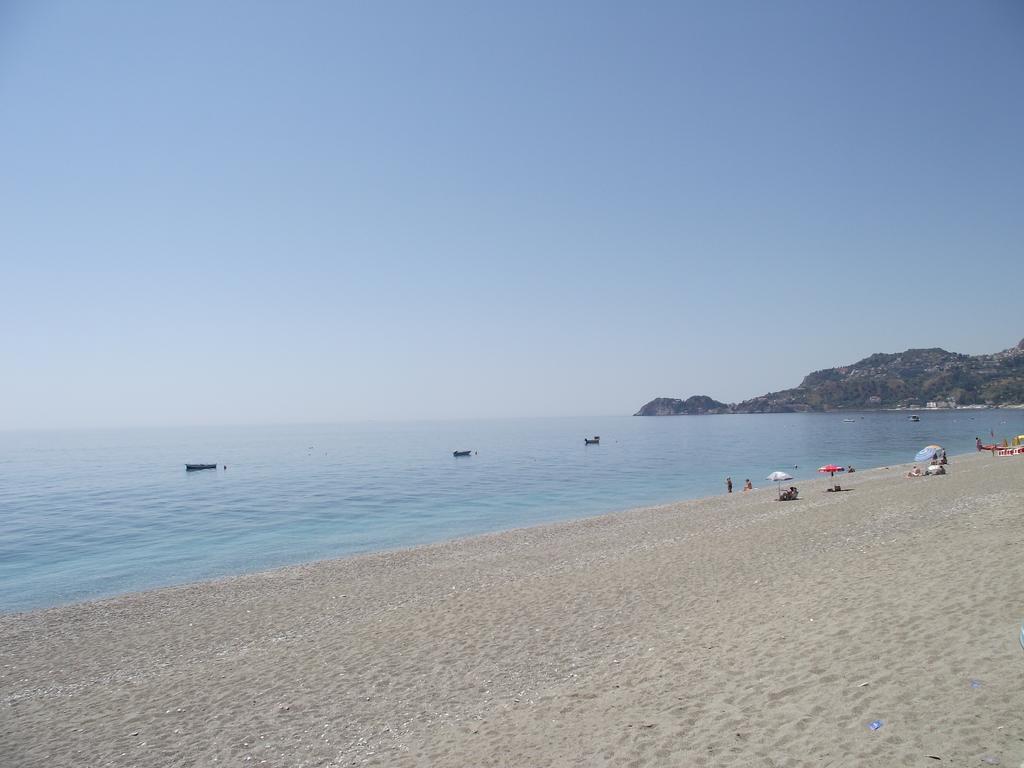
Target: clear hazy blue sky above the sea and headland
(241, 212)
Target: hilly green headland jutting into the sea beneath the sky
(915, 378)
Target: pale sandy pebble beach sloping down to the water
(733, 631)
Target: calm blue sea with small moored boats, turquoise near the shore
(87, 515)
